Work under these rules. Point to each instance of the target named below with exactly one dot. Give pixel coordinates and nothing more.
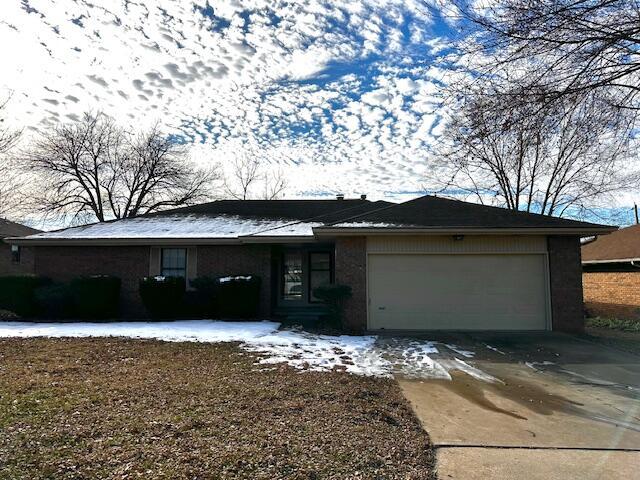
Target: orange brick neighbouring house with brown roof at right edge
(611, 278)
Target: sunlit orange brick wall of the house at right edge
(612, 294)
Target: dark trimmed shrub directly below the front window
(163, 297)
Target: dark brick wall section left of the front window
(130, 264)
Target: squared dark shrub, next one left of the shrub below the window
(96, 297)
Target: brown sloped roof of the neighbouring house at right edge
(623, 245)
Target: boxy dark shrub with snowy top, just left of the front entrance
(238, 296)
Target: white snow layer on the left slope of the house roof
(169, 226)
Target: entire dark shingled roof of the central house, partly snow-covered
(233, 221)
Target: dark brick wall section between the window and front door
(221, 260)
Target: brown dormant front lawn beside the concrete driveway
(115, 408)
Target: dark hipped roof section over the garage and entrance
(431, 213)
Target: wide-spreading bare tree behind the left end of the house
(92, 167)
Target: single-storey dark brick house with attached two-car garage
(426, 264)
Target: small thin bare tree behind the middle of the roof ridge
(248, 179)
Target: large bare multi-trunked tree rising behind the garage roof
(552, 161)
